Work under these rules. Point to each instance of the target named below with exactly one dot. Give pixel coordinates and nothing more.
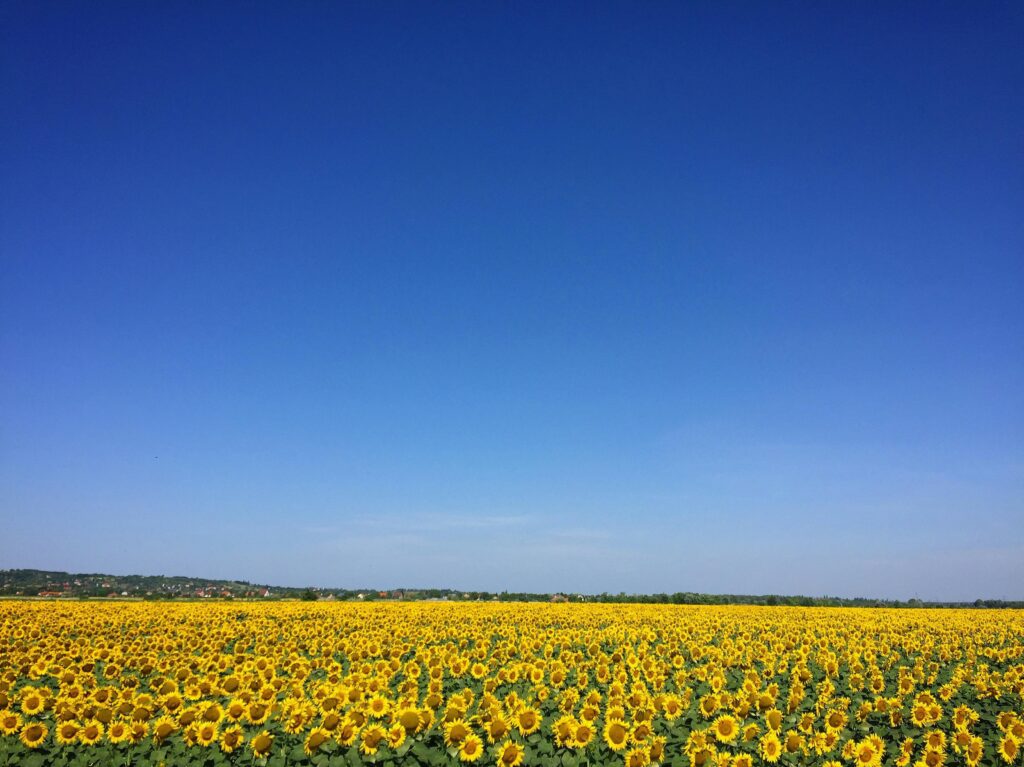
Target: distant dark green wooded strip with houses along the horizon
(56, 584)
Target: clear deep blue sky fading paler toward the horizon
(531, 296)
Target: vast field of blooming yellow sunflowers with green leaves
(553, 686)
